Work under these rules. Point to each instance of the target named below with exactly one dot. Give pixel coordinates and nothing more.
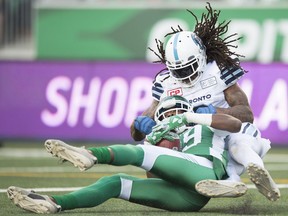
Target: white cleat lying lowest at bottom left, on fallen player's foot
(33, 202)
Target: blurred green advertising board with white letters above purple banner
(125, 33)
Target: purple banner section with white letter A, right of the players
(266, 88)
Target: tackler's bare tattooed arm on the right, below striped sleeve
(238, 102)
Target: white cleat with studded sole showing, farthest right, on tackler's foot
(263, 182)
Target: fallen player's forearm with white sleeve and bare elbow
(218, 121)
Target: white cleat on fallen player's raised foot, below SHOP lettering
(79, 157)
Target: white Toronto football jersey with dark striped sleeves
(209, 89)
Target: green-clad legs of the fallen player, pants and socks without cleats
(174, 190)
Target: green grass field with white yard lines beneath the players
(30, 166)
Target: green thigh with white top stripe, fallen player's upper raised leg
(175, 167)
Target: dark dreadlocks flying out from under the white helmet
(210, 32)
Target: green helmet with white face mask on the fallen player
(171, 103)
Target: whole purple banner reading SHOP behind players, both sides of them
(98, 101)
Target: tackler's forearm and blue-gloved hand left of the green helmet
(136, 134)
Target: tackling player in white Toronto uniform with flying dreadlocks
(202, 69)
